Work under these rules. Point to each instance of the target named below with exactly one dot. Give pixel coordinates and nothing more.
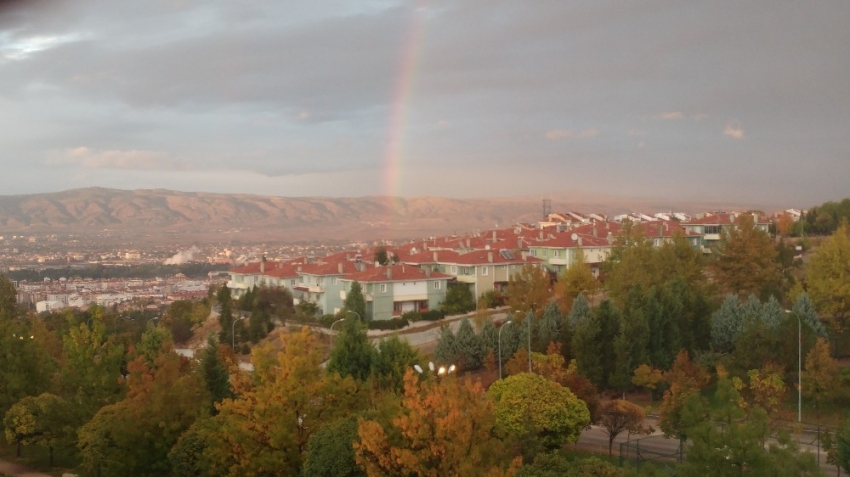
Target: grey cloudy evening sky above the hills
(720, 100)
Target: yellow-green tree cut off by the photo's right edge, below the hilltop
(828, 279)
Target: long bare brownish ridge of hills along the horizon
(212, 217)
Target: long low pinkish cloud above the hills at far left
(115, 159)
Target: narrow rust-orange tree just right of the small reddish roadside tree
(685, 379)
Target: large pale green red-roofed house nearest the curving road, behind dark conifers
(393, 290)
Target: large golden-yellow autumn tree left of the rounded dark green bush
(288, 398)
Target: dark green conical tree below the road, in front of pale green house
(352, 353)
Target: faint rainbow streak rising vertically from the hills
(394, 153)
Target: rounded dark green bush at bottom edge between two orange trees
(330, 452)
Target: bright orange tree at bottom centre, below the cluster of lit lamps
(443, 427)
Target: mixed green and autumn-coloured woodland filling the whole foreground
(708, 349)
